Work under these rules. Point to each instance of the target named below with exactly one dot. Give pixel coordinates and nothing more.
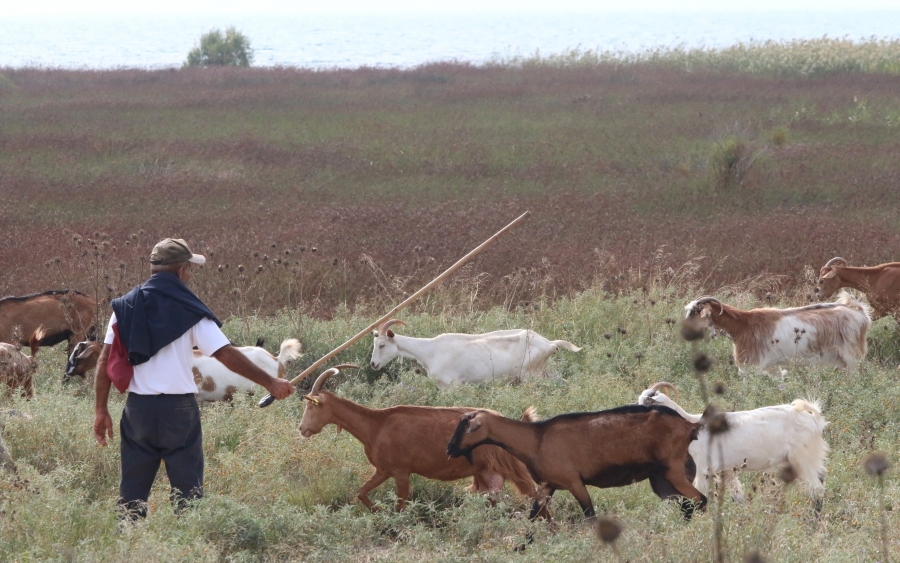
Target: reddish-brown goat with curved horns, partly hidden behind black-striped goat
(404, 440)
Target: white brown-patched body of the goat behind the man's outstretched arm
(215, 382)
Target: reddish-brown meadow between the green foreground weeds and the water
(330, 187)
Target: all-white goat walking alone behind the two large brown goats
(469, 358)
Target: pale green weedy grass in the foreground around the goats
(272, 496)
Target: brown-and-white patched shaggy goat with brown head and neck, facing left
(828, 333)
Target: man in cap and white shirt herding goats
(159, 323)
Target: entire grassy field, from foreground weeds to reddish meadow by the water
(322, 198)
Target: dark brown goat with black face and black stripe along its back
(611, 448)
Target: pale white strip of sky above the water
(159, 7)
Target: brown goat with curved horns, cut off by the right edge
(881, 284)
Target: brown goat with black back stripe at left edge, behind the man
(65, 314)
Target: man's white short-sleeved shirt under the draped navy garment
(168, 372)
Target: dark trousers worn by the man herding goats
(155, 428)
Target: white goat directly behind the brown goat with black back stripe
(764, 439)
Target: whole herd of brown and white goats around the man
(654, 439)
